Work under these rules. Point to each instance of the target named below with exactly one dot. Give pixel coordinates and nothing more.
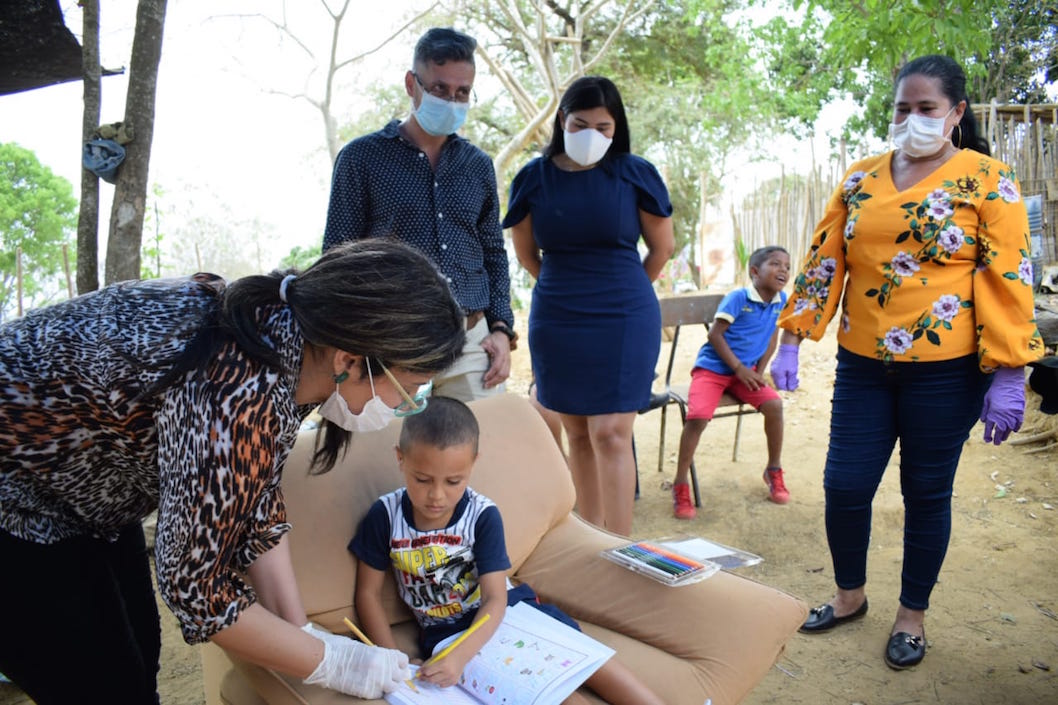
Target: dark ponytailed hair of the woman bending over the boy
(376, 298)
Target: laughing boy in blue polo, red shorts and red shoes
(742, 339)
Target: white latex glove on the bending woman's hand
(357, 670)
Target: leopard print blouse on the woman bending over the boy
(83, 454)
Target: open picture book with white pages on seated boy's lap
(532, 660)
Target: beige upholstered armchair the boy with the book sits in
(716, 639)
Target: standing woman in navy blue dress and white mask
(576, 216)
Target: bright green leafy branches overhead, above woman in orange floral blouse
(816, 50)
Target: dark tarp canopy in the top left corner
(37, 48)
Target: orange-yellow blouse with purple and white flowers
(935, 273)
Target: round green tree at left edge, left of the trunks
(39, 213)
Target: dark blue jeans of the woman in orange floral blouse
(928, 407)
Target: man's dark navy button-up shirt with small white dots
(385, 186)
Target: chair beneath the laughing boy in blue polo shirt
(679, 312)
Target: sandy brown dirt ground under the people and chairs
(993, 627)
